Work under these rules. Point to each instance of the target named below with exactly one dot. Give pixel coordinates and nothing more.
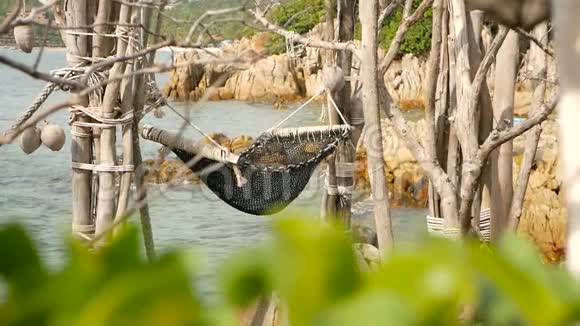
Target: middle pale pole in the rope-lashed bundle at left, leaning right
(106, 194)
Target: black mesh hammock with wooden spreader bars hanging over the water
(268, 175)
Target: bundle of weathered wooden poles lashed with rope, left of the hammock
(102, 202)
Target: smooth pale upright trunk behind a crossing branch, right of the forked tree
(503, 111)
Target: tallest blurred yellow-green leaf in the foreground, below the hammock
(313, 265)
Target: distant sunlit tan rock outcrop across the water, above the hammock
(275, 78)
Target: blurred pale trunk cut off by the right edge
(567, 37)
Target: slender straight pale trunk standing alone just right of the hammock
(369, 78)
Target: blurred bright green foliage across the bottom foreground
(311, 267)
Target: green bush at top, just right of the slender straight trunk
(417, 40)
